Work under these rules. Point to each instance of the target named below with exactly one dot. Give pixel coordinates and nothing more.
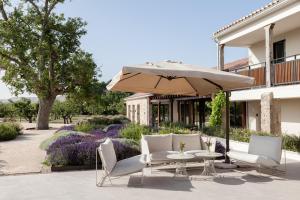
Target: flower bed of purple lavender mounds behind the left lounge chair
(71, 149)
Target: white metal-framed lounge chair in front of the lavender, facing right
(112, 168)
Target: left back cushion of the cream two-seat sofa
(158, 143)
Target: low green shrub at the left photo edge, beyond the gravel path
(9, 131)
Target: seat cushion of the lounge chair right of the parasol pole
(252, 159)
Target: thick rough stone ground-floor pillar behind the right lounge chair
(270, 114)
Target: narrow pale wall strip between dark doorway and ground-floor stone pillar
(253, 119)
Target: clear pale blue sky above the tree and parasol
(123, 32)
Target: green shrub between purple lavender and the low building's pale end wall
(135, 131)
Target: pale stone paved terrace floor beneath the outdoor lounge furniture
(160, 185)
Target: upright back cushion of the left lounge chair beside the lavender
(108, 155)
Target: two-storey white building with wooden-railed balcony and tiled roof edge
(272, 36)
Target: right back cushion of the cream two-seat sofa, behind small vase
(192, 141)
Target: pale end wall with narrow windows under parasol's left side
(144, 109)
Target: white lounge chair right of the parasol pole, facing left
(264, 151)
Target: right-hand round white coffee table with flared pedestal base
(209, 162)
